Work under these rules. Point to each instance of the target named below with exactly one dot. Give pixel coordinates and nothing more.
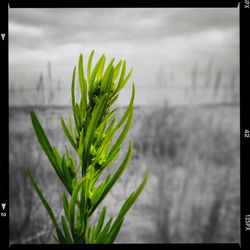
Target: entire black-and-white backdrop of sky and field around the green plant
(186, 121)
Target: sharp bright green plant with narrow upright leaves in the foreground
(92, 139)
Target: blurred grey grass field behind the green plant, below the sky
(193, 191)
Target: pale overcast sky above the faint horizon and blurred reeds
(172, 40)
